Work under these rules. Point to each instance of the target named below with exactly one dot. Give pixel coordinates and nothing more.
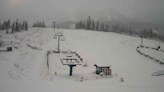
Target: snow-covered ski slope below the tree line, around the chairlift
(25, 69)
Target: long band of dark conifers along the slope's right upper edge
(91, 24)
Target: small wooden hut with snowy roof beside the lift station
(104, 69)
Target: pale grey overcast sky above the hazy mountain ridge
(27, 9)
